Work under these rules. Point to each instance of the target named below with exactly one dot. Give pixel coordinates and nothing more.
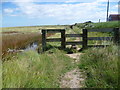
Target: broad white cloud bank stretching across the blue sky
(80, 11)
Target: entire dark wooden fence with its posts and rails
(84, 35)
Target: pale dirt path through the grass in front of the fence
(75, 78)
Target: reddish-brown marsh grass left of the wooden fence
(18, 40)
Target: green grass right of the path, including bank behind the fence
(100, 64)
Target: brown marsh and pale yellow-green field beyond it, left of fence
(20, 37)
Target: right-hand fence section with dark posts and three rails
(115, 38)
